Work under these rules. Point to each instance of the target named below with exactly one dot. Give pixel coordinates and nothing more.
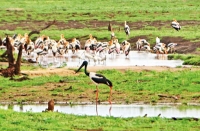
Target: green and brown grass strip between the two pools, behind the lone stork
(128, 87)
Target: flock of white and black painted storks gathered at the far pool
(93, 49)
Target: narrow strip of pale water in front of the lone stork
(115, 110)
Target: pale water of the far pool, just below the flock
(135, 59)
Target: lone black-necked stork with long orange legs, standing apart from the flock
(97, 79)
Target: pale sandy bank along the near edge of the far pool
(71, 72)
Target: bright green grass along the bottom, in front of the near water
(11, 120)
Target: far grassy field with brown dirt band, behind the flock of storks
(144, 13)
